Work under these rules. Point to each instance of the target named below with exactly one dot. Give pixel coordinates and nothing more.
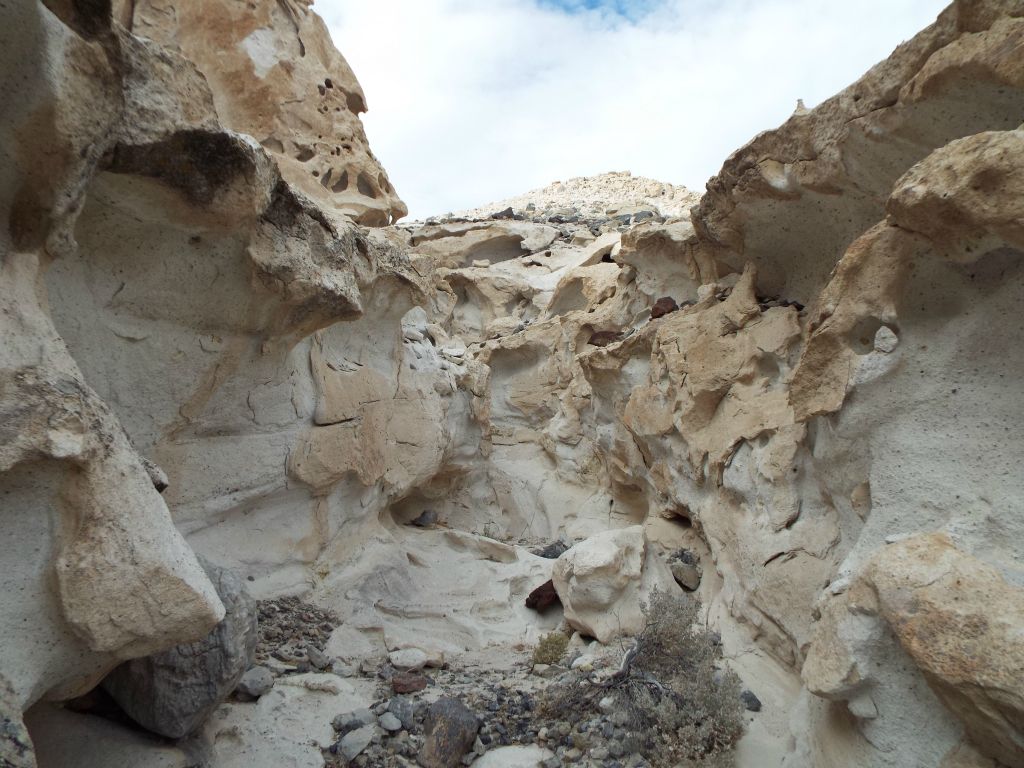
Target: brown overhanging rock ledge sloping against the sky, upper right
(795, 198)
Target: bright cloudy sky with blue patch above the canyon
(476, 101)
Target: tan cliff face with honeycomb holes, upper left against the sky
(276, 76)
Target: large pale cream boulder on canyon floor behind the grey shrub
(604, 581)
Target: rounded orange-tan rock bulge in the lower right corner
(957, 620)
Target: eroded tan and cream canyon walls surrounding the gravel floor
(217, 340)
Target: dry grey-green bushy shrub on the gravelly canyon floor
(669, 693)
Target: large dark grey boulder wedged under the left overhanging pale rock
(174, 693)
